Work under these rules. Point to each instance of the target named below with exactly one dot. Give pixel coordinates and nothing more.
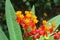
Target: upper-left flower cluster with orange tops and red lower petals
(27, 21)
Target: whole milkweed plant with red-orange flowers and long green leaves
(28, 20)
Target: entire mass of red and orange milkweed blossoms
(28, 22)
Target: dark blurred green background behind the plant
(45, 9)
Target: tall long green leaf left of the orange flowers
(13, 27)
